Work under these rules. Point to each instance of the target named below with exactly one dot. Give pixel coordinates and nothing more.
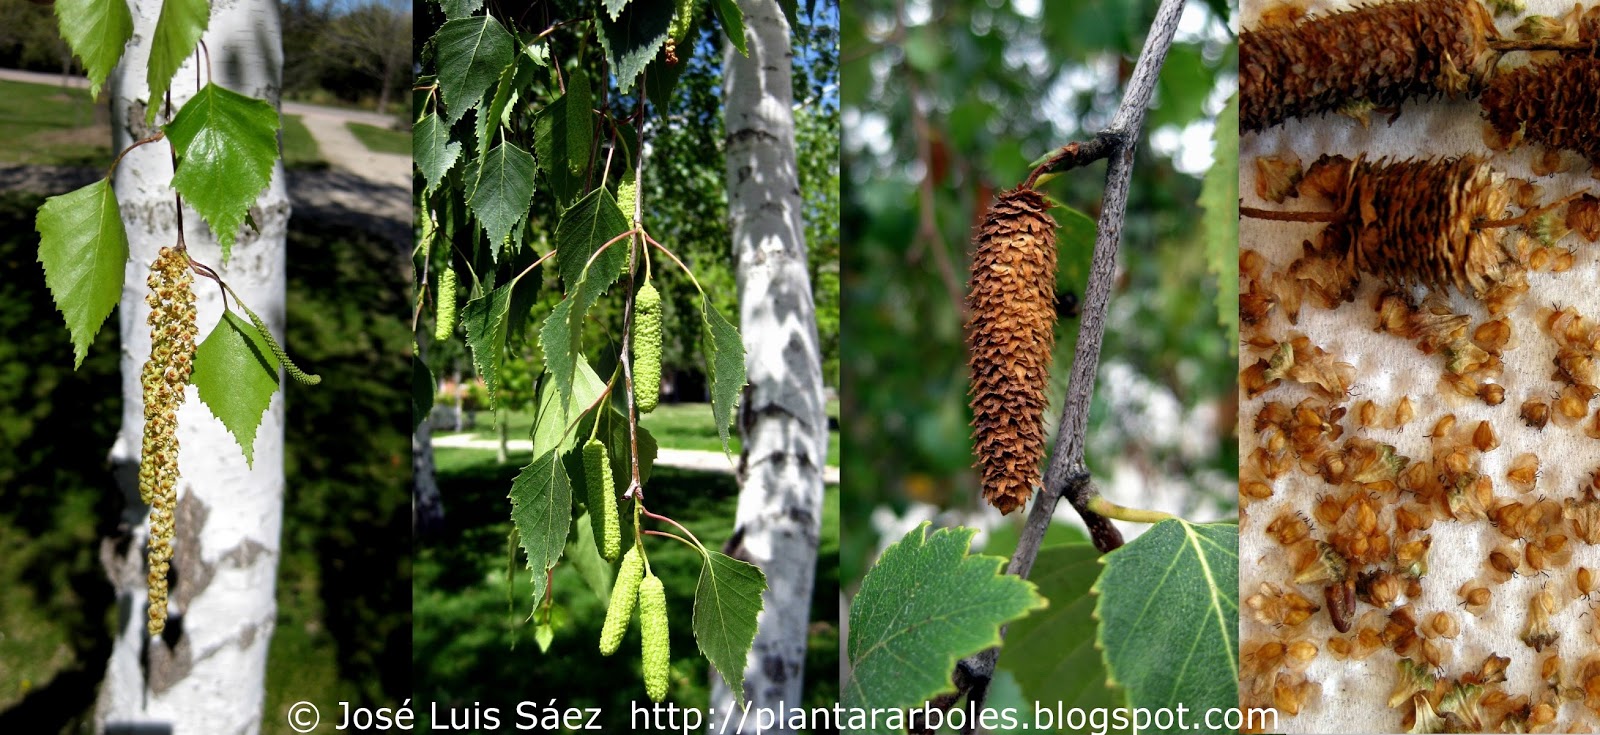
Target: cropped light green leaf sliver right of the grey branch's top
(1220, 223)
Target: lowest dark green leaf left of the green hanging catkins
(542, 508)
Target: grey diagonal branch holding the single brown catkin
(1068, 476)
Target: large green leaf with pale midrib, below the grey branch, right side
(1169, 616)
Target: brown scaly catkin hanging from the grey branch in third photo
(1010, 335)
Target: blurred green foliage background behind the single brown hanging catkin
(946, 105)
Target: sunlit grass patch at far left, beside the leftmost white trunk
(50, 126)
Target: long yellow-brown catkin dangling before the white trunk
(166, 374)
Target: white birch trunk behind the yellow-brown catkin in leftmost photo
(207, 673)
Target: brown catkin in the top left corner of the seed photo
(1378, 55)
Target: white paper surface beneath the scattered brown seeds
(1354, 694)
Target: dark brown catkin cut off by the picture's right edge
(1554, 105)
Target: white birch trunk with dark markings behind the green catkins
(782, 417)
